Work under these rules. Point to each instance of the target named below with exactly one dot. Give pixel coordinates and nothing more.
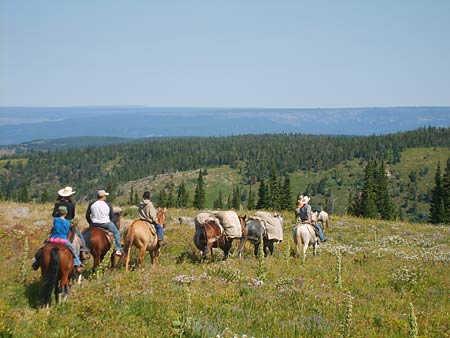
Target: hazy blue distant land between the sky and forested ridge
(25, 124)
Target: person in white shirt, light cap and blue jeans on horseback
(99, 214)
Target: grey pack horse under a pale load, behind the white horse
(255, 229)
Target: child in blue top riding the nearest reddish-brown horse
(58, 234)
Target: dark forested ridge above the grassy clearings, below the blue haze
(29, 175)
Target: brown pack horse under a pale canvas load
(210, 234)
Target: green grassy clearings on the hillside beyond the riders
(338, 182)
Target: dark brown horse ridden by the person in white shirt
(99, 241)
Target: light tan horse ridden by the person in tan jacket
(142, 235)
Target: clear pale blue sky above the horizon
(229, 53)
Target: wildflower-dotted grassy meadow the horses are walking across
(371, 279)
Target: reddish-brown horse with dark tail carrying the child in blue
(56, 261)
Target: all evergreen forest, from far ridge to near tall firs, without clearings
(264, 162)
